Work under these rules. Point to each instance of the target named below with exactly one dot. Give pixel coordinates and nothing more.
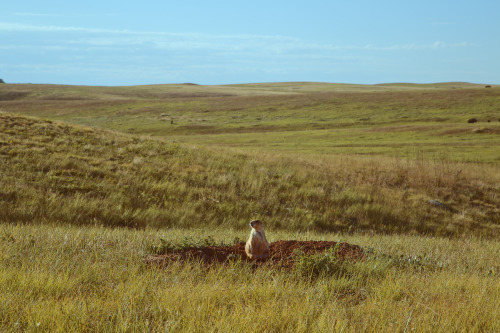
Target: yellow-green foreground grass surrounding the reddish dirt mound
(94, 279)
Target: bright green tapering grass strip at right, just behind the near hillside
(404, 141)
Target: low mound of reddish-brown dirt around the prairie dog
(282, 253)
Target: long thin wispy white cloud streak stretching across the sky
(96, 37)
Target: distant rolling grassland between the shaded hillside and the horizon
(305, 118)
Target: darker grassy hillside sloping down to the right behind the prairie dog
(55, 173)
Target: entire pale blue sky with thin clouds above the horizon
(110, 42)
